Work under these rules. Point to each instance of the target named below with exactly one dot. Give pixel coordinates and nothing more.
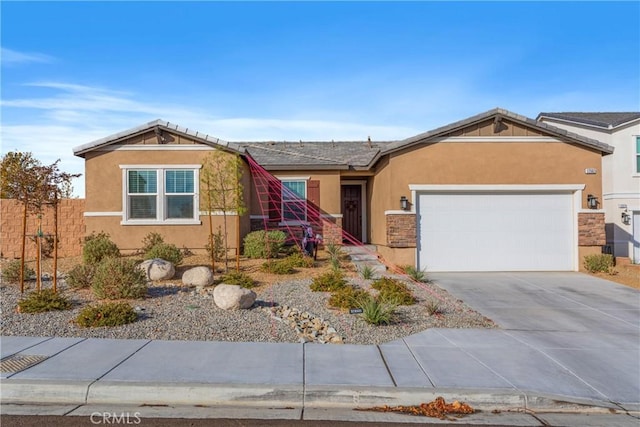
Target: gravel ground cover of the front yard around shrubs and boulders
(171, 311)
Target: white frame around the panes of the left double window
(161, 195)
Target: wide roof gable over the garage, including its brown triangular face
(497, 122)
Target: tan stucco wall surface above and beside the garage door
(469, 163)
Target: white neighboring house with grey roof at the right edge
(620, 172)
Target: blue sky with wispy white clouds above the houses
(73, 72)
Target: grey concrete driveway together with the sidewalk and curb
(566, 340)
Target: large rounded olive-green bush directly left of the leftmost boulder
(117, 278)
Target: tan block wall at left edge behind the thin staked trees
(71, 228)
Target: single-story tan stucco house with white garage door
(494, 192)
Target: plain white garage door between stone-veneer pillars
(495, 231)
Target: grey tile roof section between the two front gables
(318, 154)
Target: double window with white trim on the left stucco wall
(157, 195)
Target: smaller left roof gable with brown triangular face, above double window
(157, 132)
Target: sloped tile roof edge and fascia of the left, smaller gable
(155, 125)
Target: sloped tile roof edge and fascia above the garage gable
(498, 113)
